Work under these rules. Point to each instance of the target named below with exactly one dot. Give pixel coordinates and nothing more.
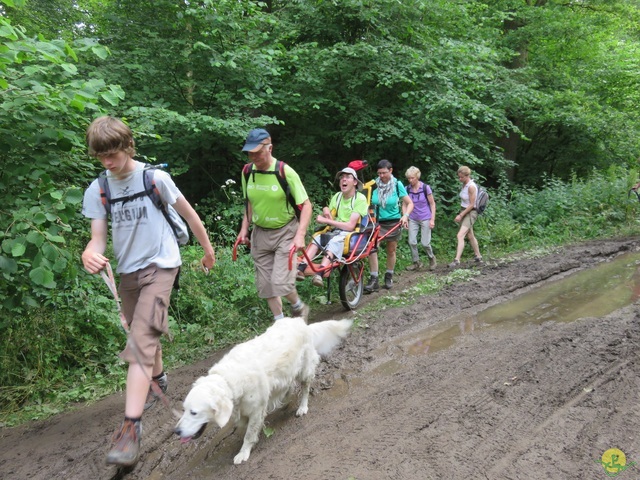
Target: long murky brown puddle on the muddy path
(594, 292)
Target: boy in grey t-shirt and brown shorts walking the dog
(148, 258)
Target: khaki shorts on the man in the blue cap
(270, 252)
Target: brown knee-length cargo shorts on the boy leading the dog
(145, 298)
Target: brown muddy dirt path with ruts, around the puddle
(539, 402)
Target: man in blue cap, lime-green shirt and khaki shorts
(277, 227)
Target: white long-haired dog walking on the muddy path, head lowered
(255, 377)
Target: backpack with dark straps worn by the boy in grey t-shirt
(173, 218)
